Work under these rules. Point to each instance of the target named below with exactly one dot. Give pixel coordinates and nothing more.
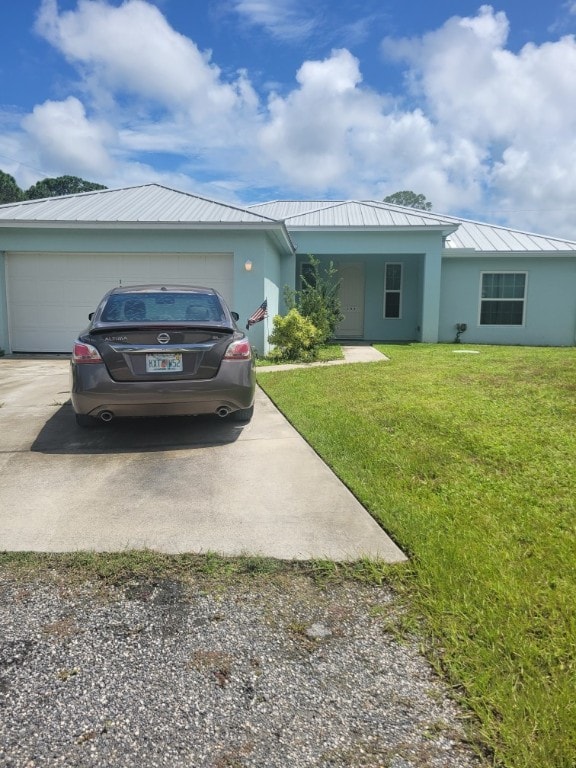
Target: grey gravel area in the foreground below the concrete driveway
(267, 671)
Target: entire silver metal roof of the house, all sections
(154, 204)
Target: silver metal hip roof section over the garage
(147, 204)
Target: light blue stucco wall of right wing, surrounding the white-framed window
(550, 311)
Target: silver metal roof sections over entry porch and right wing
(461, 234)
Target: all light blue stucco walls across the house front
(438, 292)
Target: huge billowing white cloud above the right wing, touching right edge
(516, 111)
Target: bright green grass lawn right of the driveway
(469, 462)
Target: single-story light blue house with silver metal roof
(406, 275)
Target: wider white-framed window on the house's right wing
(503, 296)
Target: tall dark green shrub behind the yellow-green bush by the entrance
(318, 300)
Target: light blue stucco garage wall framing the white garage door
(272, 263)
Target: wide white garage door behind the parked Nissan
(50, 295)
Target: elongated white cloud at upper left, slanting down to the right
(131, 49)
